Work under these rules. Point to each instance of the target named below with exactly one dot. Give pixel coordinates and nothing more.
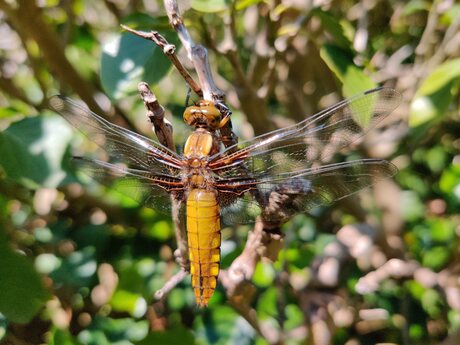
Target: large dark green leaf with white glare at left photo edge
(34, 153)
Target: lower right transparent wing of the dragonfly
(280, 198)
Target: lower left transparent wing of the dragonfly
(145, 188)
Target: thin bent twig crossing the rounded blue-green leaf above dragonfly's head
(170, 51)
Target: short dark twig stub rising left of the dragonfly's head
(155, 113)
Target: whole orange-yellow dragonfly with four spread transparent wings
(275, 175)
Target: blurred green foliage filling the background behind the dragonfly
(80, 265)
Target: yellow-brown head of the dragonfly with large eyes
(204, 115)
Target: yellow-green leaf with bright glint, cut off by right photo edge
(435, 94)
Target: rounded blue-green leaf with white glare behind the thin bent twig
(127, 60)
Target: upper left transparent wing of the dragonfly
(121, 144)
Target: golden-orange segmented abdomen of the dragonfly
(203, 230)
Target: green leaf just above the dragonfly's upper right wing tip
(340, 61)
